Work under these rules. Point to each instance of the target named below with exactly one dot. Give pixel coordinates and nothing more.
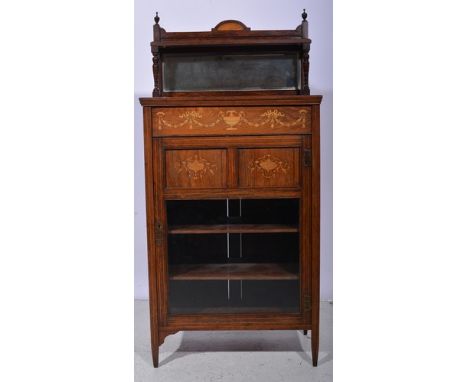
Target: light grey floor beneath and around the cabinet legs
(270, 356)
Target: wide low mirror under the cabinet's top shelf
(230, 72)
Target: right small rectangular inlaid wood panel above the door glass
(278, 167)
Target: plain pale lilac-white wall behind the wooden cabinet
(260, 14)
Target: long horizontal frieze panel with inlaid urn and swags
(240, 120)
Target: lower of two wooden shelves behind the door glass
(235, 271)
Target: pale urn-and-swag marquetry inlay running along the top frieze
(232, 118)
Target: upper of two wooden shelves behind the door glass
(232, 228)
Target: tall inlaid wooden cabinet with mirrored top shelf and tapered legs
(232, 162)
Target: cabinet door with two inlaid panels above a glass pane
(233, 226)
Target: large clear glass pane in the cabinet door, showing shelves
(230, 256)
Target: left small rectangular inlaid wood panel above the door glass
(195, 168)
